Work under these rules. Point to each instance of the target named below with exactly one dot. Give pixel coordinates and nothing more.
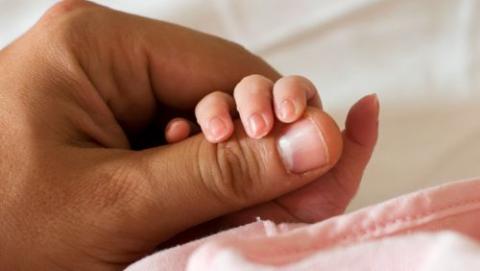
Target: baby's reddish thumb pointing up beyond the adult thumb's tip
(331, 194)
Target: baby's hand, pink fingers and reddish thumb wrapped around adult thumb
(327, 196)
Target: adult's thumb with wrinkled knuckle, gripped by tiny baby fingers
(193, 181)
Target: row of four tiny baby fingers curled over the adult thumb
(258, 101)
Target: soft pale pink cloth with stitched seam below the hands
(428, 230)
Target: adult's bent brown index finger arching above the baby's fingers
(146, 65)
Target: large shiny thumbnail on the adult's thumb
(302, 147)
